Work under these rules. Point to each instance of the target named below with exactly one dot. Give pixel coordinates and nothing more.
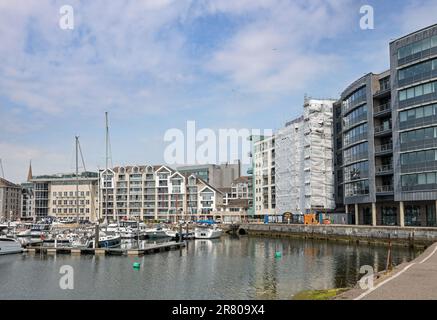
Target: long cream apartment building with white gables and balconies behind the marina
(155, 193)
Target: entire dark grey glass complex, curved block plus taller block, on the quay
(385, 161)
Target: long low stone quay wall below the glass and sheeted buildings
(407, 236)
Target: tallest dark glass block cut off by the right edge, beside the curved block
(413, 70)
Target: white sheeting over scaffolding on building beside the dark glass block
(304, 161)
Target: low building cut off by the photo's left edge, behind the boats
(10, 200)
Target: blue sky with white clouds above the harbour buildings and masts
(156, 64)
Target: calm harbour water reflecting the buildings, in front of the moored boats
(226, 268)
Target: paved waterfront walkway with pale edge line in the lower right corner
(415, 280)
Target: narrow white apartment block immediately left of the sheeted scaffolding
(263, 159)
